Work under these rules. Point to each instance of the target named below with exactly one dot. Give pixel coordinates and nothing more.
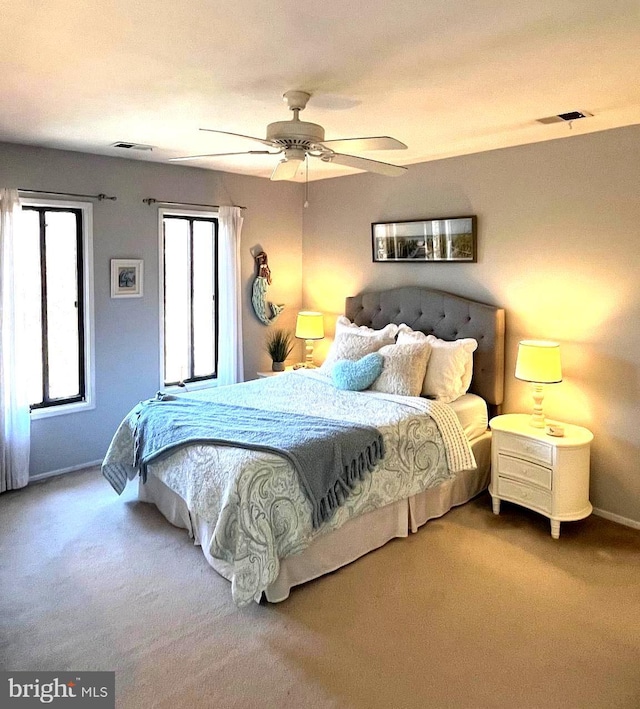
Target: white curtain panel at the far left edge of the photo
(14, 404)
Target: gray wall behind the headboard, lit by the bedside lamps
(559, 249)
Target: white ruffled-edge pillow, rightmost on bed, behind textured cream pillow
(450, 366)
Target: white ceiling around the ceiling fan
(446, 78)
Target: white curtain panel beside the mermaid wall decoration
(230, 360)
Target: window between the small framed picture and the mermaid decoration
(189, 282)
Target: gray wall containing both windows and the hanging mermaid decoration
(127, 330)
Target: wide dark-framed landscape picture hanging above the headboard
(444, 240)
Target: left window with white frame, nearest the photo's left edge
(56, 242)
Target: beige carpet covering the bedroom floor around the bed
(473, 611)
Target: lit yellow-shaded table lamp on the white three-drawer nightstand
(538, 362)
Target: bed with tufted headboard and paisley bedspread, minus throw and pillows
(247, 509)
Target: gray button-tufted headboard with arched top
(448, 317)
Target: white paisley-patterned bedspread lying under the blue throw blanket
(255, 501)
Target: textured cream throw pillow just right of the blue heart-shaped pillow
(404, 369)
